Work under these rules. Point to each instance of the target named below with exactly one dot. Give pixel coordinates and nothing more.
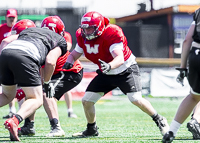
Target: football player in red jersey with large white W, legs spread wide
(105, 45)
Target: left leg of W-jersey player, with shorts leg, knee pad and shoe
(97, 88)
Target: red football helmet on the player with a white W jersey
(96, 20)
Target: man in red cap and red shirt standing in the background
(5, 31)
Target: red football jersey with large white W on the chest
(98, 48)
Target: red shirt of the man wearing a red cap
(5, 31)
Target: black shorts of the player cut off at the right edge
(194, 70)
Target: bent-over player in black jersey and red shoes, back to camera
(20, 63)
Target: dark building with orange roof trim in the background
(158, 33)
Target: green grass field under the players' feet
(118, 121)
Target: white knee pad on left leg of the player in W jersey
(92, 96)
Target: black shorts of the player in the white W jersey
(127, 81)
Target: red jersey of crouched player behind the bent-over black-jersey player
(61, 60)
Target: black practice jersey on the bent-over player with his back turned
(44, 39)
